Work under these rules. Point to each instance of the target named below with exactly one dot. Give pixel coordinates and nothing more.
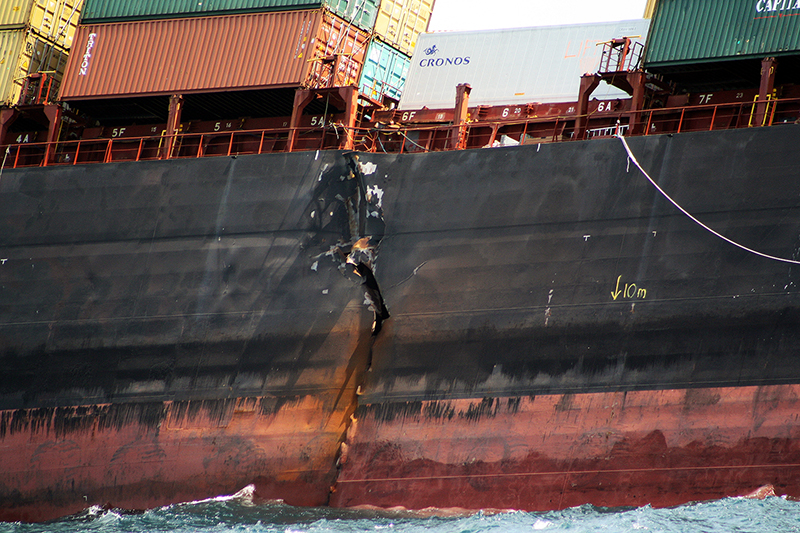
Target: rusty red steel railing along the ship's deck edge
(406, 139)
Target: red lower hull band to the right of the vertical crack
(555, 451)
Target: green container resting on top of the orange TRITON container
(362, 13)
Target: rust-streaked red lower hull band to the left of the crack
(139, 456)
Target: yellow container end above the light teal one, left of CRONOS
(400, 22)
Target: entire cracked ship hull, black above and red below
(560, 333)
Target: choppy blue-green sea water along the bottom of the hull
(240, 514)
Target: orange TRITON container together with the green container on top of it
(187, 46)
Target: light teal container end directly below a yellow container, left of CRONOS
(384, 73)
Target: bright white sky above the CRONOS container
(462, 15)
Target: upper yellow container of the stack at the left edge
(54, 20)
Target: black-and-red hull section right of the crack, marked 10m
(561, 334)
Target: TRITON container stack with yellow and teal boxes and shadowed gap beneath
(147, 51)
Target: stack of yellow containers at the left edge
(35, 37)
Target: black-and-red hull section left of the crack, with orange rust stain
(177, 330)
